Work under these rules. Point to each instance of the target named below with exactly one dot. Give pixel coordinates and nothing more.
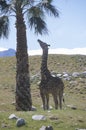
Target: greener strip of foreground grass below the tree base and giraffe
(59, 119)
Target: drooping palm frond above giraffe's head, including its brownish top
(35, 20)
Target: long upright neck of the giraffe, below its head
(45, 73)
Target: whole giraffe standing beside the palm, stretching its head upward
(49, 84)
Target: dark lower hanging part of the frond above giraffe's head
(38, 24)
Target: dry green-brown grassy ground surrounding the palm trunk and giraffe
(66, 119)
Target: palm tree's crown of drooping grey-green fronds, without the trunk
(34, 11)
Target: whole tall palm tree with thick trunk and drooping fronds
(34, 12)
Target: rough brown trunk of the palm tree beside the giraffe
(23, 95)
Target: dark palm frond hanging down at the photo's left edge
(4, 26)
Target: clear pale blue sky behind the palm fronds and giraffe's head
(67, 31)
